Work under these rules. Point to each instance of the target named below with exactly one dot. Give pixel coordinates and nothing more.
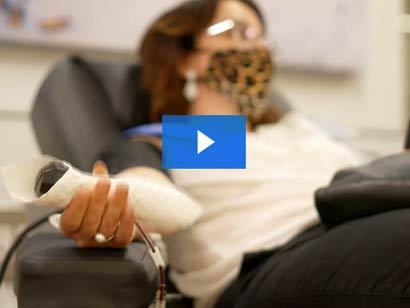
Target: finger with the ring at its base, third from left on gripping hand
(114, 210)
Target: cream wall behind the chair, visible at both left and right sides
(373, 99)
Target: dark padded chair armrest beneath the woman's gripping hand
(51, 271)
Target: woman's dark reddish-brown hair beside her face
(169, 38)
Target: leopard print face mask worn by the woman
(244, 77)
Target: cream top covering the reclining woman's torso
(253, 209)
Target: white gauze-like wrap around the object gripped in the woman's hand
(158, 206)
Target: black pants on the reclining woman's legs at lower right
(362, 263)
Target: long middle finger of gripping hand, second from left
(95, 209)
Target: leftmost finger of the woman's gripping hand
(72, 217)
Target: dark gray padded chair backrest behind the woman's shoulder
(83, 106)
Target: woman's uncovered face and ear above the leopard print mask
(247, 33)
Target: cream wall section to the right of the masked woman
(374, 98)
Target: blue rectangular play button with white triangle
(204, 142)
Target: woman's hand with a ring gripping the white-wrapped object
(94, 211)
